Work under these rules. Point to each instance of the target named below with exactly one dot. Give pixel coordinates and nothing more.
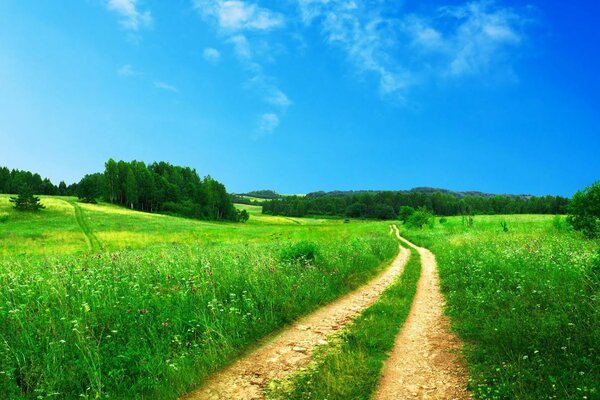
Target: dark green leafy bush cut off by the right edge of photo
(584, 211)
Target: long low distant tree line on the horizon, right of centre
(387, 205)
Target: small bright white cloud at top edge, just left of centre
(239, 15)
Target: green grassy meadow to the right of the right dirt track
(526, 302)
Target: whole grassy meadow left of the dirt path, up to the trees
(165, 301)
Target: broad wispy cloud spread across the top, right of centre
(403, 51)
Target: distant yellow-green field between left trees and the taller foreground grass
(55, 230)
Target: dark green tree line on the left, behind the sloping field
(157, 187)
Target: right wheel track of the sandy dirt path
(424, 363)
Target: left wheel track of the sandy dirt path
(291, 349)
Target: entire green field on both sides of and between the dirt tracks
(98, 301)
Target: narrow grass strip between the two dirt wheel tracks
(349, 368)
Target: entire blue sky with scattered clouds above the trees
(305, 95)
